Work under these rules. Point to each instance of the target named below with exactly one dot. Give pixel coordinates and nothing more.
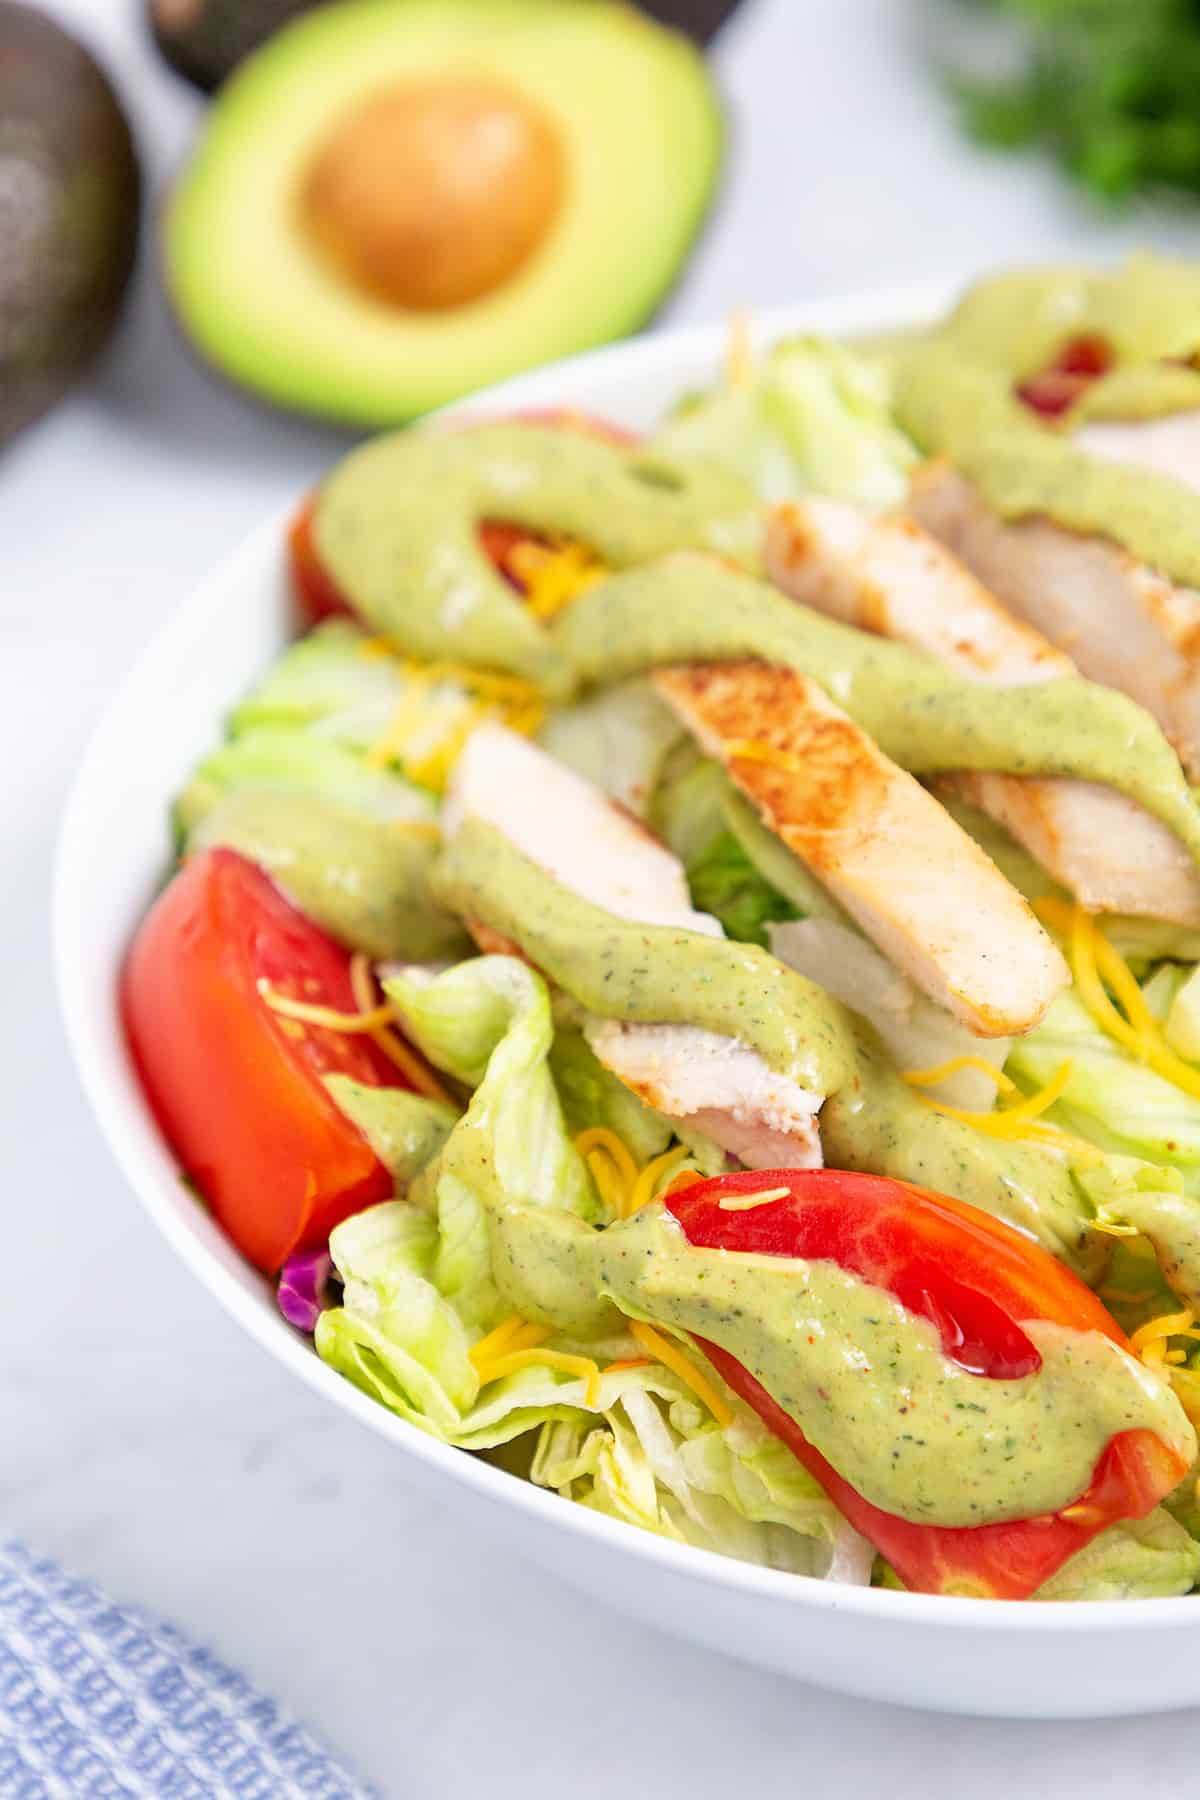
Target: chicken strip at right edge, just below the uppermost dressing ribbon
(1120, 622)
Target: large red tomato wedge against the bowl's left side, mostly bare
(235, 1086)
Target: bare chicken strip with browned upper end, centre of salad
(881, 843)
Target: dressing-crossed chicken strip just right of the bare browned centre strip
(888, 575)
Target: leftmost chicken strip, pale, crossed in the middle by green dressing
(602, 854)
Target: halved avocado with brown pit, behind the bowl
(395, 204)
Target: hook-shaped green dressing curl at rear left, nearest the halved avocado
(397, 528)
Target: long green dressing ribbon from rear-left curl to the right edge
(397, 530)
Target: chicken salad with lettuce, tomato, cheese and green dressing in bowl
(686, 973)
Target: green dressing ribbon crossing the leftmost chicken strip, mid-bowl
(872, 1120)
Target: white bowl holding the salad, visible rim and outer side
(1010, 1659)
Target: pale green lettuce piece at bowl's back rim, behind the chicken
(814, 417)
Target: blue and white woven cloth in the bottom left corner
(103, 1704)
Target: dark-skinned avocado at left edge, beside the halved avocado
(69, 213)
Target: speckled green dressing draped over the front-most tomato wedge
(873, 1390)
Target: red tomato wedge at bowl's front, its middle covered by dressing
(976, 1281)
